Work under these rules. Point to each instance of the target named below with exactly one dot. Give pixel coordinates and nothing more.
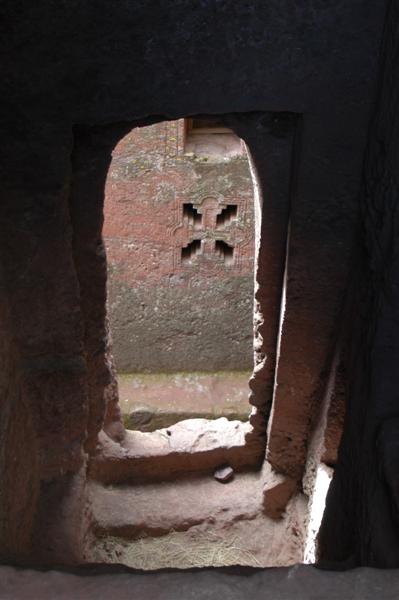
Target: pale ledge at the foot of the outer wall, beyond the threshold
(154, 401)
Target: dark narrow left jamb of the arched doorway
(90, 162)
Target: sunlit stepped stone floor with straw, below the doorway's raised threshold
(193, 522)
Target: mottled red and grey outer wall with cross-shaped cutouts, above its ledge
(169, 313)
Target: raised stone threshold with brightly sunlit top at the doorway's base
(191, 446)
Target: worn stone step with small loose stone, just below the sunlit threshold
(156, 509)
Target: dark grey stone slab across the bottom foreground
(117, 583)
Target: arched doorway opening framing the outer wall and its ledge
(179, 233)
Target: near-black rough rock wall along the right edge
(361, 521)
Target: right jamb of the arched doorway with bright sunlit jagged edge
(269, 138)
